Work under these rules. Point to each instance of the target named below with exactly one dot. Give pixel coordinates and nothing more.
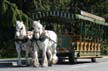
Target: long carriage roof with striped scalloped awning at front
(72, 16)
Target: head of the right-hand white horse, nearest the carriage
(38, 29)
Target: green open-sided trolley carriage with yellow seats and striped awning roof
(79, 34)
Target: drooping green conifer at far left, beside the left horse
(9, 13)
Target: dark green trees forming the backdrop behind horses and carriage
(12, 10)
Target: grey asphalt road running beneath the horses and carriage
(82, 65)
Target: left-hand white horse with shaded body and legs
(23, 41)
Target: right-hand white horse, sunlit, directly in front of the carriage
(45, 40)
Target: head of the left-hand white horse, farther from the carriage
(20, 30)
